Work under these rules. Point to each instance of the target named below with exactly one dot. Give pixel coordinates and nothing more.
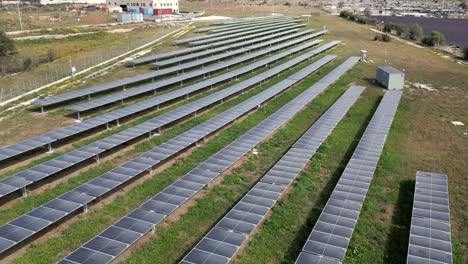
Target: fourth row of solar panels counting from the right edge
(118, 237)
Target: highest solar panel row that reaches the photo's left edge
(105, 119)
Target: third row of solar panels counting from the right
(253, 207)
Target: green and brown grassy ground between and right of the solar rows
(421, 138)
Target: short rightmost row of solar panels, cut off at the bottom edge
(430, 238)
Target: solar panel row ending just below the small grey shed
(332, 233)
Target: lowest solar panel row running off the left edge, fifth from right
(27, 225)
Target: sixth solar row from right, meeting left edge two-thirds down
(32, 175)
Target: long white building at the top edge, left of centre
(167, 5)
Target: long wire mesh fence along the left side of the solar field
(47, 73)
